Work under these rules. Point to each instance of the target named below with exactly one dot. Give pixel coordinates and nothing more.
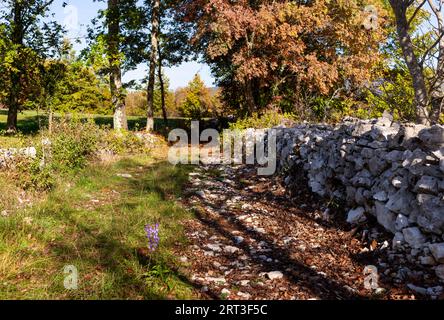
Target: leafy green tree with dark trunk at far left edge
(31, 39)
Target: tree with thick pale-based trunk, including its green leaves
(117, 35)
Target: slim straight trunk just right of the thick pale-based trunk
(153, 64)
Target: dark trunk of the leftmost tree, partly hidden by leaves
(13, 95)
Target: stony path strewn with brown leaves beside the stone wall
(250, 241)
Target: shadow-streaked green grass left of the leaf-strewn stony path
(95, 222)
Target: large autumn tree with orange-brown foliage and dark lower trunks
(286, 52)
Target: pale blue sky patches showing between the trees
(79, 13)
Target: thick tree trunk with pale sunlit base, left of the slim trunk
(117, 98)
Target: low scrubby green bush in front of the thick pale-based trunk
(69, 146)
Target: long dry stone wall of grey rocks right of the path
(392, 171)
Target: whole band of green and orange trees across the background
(319, 60)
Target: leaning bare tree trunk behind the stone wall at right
(415, 69)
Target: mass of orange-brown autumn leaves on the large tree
(319, 45)
